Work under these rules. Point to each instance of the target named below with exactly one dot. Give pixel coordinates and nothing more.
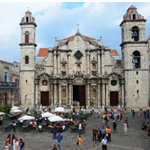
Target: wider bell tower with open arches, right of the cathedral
(134, 56)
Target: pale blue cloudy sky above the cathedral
(58, 19)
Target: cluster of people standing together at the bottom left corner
(13, 143)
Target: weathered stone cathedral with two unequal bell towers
(81, 69)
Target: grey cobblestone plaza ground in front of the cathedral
(44, 141)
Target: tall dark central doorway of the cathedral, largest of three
(79, 94)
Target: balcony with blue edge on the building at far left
(7, 85)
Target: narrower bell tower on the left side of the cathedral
(28, 53)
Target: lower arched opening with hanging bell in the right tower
(136, 59)
